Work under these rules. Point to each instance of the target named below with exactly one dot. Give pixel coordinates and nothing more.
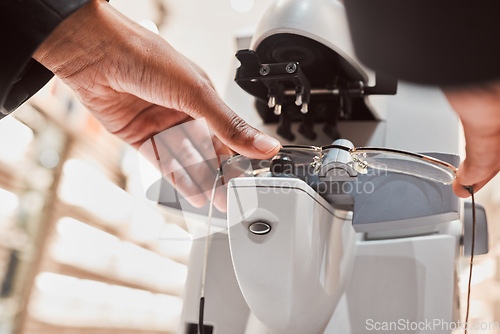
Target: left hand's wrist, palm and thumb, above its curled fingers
(137, 85)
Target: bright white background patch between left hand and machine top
(203, 30)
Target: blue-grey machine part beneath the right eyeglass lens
(383, 201)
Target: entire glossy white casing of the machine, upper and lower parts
(282, 274)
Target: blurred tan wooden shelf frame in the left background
(88, 143)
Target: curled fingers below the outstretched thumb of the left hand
(188, 156)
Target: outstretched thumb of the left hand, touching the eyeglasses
(174, 84)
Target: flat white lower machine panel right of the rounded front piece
(399, 280)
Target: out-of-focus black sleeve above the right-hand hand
(427, 41)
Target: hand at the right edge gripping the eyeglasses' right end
(479, 111)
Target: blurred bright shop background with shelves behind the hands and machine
(81, 249)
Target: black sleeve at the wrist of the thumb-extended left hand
(24, 25)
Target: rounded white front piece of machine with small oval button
(293, 277)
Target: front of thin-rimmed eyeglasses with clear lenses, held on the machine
(312, 158)
